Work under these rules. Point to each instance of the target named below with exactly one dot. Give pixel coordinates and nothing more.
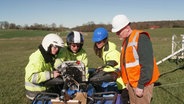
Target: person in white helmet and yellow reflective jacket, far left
(40, 68)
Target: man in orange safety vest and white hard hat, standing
(138, 65)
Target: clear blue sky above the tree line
(72, 13)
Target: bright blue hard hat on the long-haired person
(99, 34)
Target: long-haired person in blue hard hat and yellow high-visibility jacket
(106, 50)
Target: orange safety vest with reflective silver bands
(130, 66)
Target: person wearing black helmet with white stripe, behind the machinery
(73, 50)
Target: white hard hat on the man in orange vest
(119, 22)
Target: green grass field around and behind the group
(17, 45)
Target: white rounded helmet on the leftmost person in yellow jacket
(52, 39)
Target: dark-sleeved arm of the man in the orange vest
(145, 52)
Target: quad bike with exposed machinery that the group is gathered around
(77, 89)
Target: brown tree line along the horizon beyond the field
(90, 26)
